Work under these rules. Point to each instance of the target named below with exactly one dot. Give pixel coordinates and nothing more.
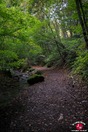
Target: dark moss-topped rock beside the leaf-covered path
(35, 79)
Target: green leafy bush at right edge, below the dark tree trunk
(81, 65)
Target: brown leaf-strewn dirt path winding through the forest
(50, 106)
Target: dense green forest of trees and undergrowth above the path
(44, 32)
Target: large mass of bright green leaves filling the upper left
(17, 37)
